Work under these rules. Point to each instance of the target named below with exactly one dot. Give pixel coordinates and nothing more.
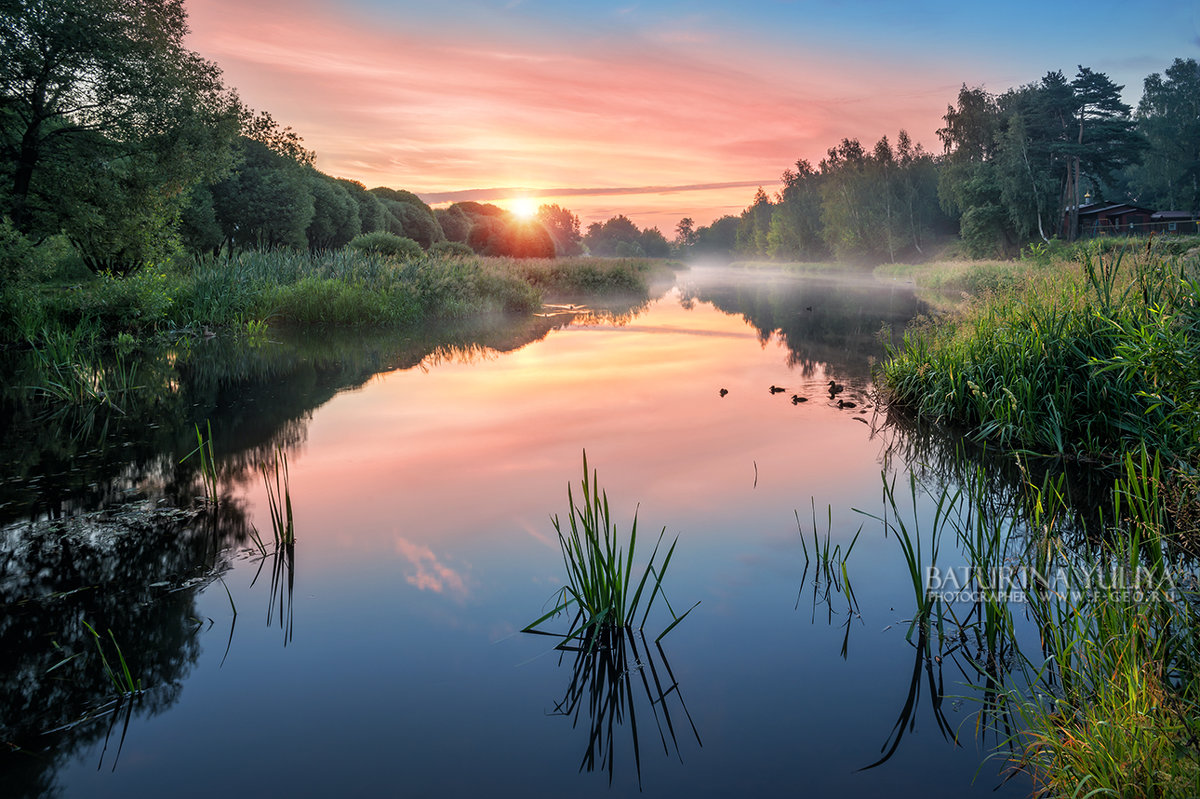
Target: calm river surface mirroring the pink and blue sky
(387, 658)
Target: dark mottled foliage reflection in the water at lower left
(134, 572)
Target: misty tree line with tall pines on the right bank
(1015, 169)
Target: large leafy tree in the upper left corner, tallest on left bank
(109, 83)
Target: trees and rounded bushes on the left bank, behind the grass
(117, 136)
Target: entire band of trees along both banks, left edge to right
(117, 136)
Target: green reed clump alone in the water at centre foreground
(601, 572)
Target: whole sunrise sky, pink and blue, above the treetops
(641, 111)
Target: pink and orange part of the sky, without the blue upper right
(394, 98)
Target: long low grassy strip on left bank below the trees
(339, 289)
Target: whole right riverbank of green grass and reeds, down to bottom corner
(1091, 359)
